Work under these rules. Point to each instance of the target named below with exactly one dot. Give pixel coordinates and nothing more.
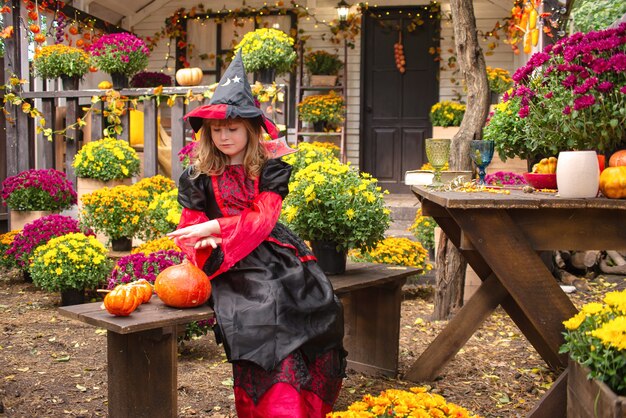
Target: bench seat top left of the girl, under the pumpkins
(151, 315)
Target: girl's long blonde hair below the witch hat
(211, 161)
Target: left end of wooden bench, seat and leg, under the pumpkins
(142, 358)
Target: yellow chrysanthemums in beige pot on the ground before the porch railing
(107, 162)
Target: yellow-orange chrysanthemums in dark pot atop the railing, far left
(67, 62)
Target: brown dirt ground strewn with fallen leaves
(54, 366)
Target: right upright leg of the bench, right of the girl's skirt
(372, 327)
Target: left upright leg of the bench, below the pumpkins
(142, 377)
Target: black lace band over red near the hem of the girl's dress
(322, 376)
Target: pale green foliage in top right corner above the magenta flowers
(589, 15)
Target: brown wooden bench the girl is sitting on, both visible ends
(142, 348)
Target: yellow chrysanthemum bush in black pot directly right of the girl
(335, 208)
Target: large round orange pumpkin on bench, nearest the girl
(183, 286)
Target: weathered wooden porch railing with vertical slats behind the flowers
(21, 134)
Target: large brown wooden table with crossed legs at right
(499, 236)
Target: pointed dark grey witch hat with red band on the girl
(232, 98)
